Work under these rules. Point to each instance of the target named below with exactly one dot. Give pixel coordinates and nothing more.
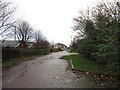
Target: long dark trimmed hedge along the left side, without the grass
(9, 53)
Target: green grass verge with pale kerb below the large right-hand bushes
(84, 64)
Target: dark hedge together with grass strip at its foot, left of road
(11, 56)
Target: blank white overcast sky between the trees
(53, 17)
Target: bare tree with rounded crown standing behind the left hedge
(23, 33)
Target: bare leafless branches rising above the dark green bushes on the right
(105, 14)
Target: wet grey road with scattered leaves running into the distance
(45, 72)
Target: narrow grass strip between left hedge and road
(17, 60)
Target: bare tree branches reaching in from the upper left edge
(6, 17)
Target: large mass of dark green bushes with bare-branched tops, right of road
(102, 40)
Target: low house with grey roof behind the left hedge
(15, 44)
